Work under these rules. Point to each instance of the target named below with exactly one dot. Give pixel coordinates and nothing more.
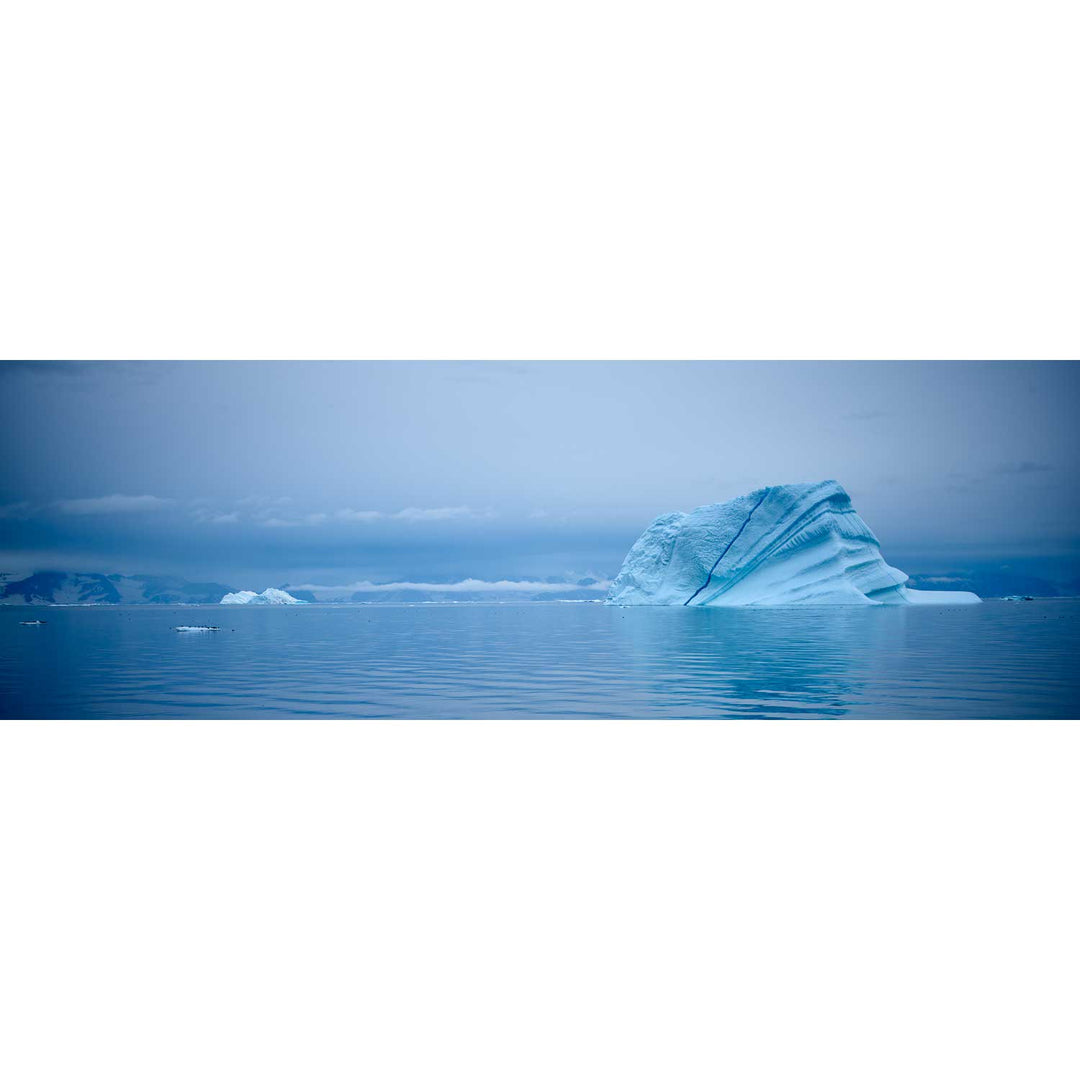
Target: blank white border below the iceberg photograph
(539, 899)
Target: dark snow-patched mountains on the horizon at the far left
(59, 587)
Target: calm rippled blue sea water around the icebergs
(544, 660)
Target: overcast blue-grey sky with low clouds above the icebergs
(258, 474)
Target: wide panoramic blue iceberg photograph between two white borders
(450, 539)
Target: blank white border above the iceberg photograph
(571, 180)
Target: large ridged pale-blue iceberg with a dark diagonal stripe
(792, 544)
